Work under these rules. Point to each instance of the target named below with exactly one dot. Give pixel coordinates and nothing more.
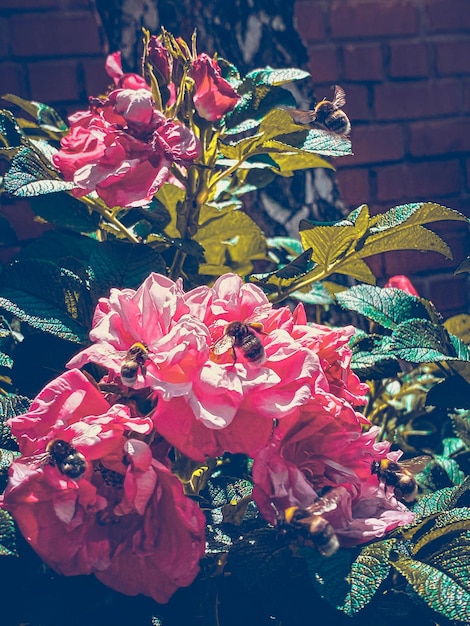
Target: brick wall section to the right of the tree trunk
(405, 67)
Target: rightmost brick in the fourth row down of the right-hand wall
(440, 136)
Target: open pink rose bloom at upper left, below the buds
(123, 148)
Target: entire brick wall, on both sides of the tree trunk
(405, 66)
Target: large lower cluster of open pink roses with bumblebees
(127, 519)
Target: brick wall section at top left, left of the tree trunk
(51, 51)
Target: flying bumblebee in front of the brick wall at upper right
(327, 113)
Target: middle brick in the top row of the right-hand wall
(373, 19)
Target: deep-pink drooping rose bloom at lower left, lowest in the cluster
(126, 520)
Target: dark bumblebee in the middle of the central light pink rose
(244, 337)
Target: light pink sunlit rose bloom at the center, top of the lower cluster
(197, 389)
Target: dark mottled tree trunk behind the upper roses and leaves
(250, 34)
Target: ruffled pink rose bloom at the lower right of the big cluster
(323, 448)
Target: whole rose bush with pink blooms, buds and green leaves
(213, 423)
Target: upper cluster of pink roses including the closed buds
(124, 146)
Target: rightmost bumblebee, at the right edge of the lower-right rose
(400, 476)
